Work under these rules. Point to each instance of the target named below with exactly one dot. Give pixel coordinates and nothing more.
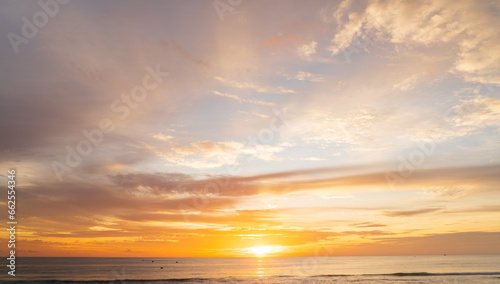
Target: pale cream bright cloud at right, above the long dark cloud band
(384, 128)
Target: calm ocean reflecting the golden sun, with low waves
(356, 269)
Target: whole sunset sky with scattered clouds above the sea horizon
(251, 128)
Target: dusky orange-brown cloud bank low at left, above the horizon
(75, 208)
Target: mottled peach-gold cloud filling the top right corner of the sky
(467, 28)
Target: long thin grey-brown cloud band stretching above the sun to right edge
(251, 185)
